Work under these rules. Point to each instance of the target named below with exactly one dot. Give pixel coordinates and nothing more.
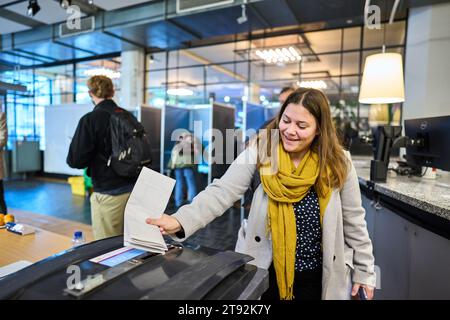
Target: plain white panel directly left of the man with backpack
(60, 124)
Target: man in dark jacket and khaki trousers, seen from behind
(90, 148)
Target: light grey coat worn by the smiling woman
(347, 249)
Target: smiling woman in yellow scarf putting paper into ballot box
(306, 223)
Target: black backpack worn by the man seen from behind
(130, 144)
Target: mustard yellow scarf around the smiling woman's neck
(288, 186)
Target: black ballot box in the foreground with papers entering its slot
(104, 269)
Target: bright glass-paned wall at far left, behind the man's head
(48, 86)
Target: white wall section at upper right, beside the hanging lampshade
(427, 62)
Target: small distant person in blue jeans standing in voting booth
(183, 163)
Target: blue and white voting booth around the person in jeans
(200, 120)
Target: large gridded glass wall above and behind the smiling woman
(331, 60)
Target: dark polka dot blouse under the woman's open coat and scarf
(309, 233)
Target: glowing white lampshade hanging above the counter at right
(382, 79)
